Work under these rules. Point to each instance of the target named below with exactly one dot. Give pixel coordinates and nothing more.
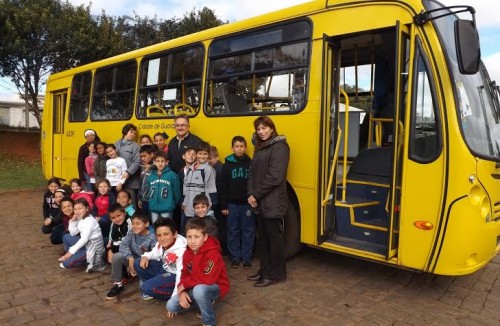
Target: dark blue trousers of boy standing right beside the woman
(240, 231)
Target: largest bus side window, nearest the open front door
(259, 72)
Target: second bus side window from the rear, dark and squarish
(113, 97)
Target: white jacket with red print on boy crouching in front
(170, 257)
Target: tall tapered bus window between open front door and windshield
(424, 138)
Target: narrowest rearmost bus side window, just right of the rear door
(80, 97)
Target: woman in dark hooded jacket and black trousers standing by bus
(267, 194)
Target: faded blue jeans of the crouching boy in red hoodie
(202, 296)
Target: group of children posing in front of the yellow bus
(101, 226)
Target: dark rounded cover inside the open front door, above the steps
(372, 165)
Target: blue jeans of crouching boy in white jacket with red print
(157, 282)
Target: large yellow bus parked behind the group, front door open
(411, 180)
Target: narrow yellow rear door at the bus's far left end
(59, 100)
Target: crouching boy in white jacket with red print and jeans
(160, 269)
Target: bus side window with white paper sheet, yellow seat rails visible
(170, 83)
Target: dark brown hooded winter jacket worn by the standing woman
(267, 177)
